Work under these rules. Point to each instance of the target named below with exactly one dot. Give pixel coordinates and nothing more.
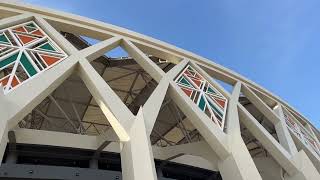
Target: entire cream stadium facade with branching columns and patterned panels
(69, 110)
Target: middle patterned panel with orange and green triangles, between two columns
(202, 93)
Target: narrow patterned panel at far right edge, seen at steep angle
(301, 132)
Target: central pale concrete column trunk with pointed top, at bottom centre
(136, 154)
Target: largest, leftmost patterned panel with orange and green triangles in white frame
(26, 51)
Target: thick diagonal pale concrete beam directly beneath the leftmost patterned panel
(27, 96)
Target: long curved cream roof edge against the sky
(24, 7)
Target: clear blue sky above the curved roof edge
(274, 43)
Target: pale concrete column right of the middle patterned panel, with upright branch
(239, 164)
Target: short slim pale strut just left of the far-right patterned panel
(283, 133)
